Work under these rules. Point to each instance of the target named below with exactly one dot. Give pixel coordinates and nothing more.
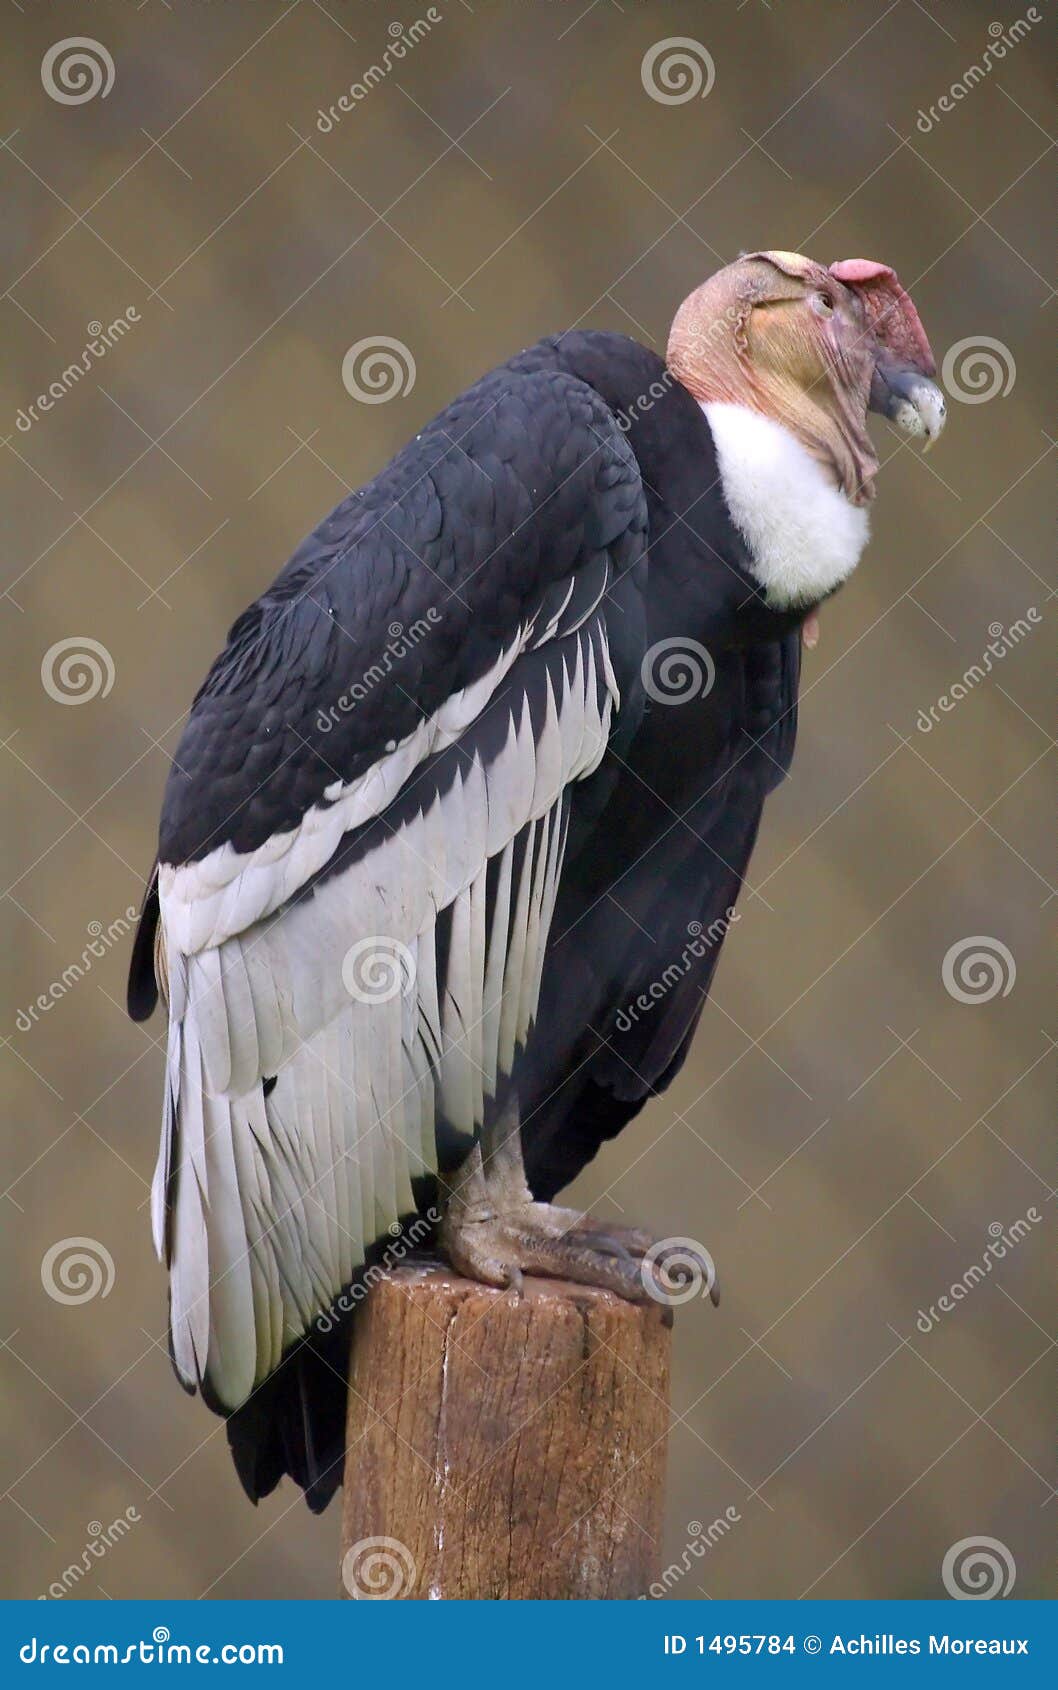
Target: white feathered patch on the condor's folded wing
(264, 1206)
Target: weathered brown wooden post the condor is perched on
(503, 1449)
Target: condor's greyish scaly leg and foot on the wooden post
(496, 1233)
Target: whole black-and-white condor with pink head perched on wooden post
(461, 815)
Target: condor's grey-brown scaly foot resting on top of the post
(501, 1245)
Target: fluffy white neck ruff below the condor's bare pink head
(805, 538)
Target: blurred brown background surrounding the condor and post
(846, 1131)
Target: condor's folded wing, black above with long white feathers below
(363, 841)
